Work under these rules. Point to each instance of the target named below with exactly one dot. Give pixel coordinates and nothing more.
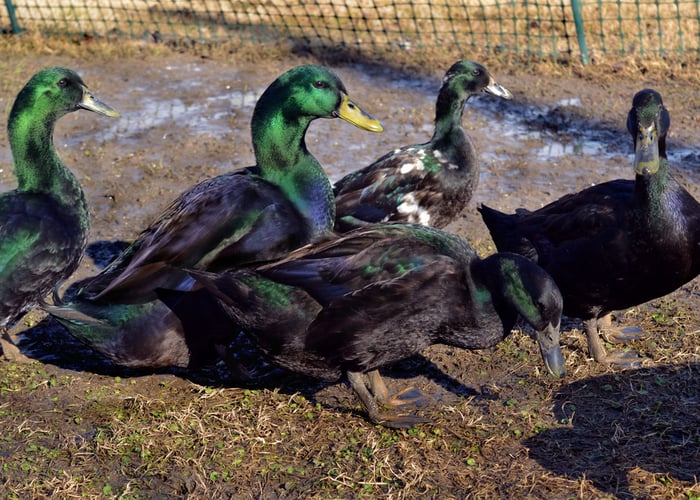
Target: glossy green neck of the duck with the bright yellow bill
(283, 160)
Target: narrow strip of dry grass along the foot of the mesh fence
(429, 61)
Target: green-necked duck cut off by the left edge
(44, 221)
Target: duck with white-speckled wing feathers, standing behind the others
(429, 183)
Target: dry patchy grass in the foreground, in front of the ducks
(600, 434)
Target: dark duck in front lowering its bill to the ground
(345, 306)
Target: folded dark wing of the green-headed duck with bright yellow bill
(229, 220)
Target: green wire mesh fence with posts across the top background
(558, 29)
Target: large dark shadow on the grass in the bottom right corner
(616, 424)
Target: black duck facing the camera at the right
(617, 244)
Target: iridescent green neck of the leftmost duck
(37, 165)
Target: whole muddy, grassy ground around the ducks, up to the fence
(72, 424)
